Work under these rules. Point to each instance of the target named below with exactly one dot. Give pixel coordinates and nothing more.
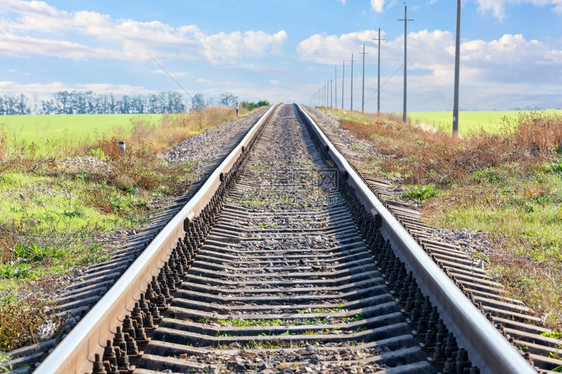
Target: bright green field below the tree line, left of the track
(46, 131)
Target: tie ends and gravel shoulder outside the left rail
(87, 288)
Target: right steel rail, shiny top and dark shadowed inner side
(486, 346)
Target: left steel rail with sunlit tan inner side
(76, 352)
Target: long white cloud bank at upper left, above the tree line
(36, 23)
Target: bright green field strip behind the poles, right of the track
(470, 121)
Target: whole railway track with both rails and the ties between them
(284, 260)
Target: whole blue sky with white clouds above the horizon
(285, 50)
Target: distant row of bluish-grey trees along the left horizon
(87, 102)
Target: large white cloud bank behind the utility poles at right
(498, 73)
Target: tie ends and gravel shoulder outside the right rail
(517, 322)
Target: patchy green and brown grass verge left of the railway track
(57, 202)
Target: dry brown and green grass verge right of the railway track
(507, 183)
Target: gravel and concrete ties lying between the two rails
(276, 264)
